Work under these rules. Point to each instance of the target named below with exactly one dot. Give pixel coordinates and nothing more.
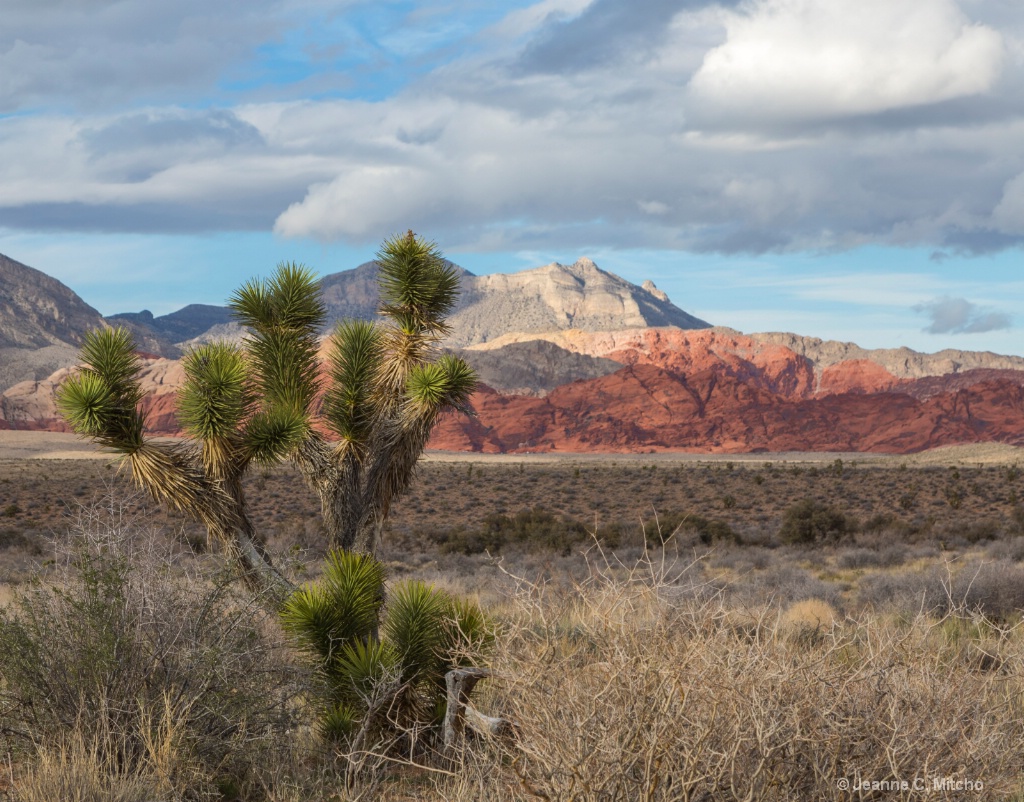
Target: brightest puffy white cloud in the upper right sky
(821, 59)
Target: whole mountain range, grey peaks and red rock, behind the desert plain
(575, 359)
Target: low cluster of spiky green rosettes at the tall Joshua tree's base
(381, 666)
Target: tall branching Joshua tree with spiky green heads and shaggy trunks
(259, 403)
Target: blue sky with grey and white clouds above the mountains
(845, 170)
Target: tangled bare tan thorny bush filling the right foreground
(637, 685)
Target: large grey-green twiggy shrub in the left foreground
(144, 666)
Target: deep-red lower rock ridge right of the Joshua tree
(643, 408)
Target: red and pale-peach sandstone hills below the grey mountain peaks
(702, 391)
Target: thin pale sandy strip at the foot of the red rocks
(54, 446)
